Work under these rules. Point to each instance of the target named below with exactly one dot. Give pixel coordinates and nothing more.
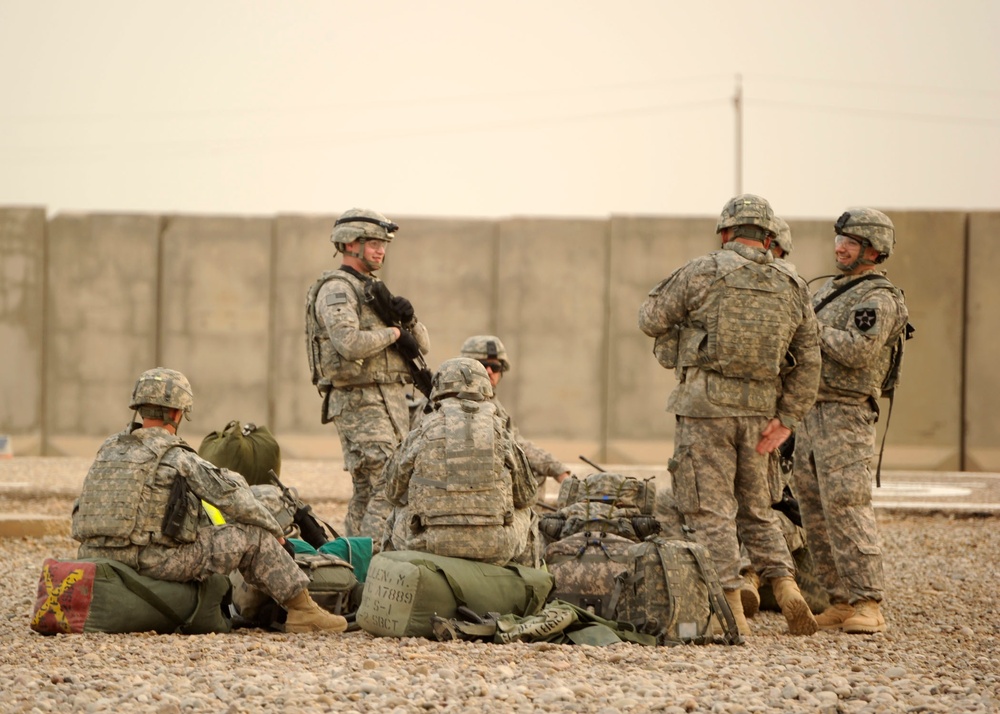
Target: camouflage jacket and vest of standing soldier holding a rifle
(359, 337)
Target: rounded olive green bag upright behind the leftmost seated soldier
(247, 449)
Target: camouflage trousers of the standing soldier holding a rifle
(371, 422)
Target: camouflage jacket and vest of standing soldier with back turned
(694, 299)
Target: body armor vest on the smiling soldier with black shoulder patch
(870, 380)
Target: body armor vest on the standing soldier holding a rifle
(327, 366)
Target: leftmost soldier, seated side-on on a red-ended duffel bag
(141, 506)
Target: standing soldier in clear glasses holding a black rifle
(359, 362)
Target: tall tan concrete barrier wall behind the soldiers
(222, 298)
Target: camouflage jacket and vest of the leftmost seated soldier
(107, 486)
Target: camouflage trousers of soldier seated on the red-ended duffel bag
(251, 550)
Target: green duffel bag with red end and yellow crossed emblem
(102, 595)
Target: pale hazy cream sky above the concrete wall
(464, 108)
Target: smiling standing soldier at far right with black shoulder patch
(858, 329)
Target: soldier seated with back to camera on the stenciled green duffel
(461, 485)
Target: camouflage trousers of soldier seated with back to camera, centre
(516, 542)
